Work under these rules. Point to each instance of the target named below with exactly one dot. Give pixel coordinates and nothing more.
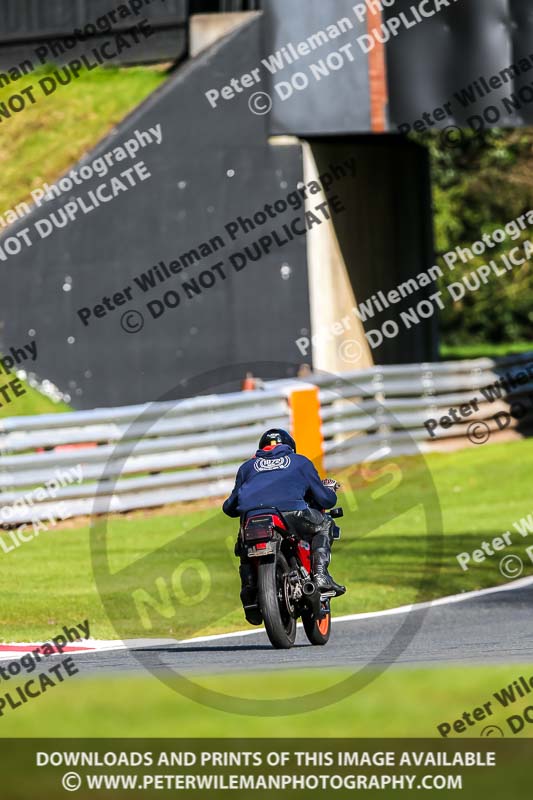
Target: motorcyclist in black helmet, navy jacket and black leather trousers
(277, 477)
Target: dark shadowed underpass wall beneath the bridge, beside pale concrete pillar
(386, 234)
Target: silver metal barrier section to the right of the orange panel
(388, 411)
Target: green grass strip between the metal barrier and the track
(182, 562)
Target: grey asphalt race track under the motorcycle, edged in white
(493, 626)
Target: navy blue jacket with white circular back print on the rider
(277, 478)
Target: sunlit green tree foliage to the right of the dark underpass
(480, 183)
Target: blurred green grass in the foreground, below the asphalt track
(398, 703)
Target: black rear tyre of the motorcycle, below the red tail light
(280, 625)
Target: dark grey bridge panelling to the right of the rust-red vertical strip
(430, 62)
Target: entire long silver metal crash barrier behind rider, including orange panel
(171, 452)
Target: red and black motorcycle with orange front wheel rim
(286, 590)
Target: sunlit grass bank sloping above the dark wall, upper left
(42, 141)
